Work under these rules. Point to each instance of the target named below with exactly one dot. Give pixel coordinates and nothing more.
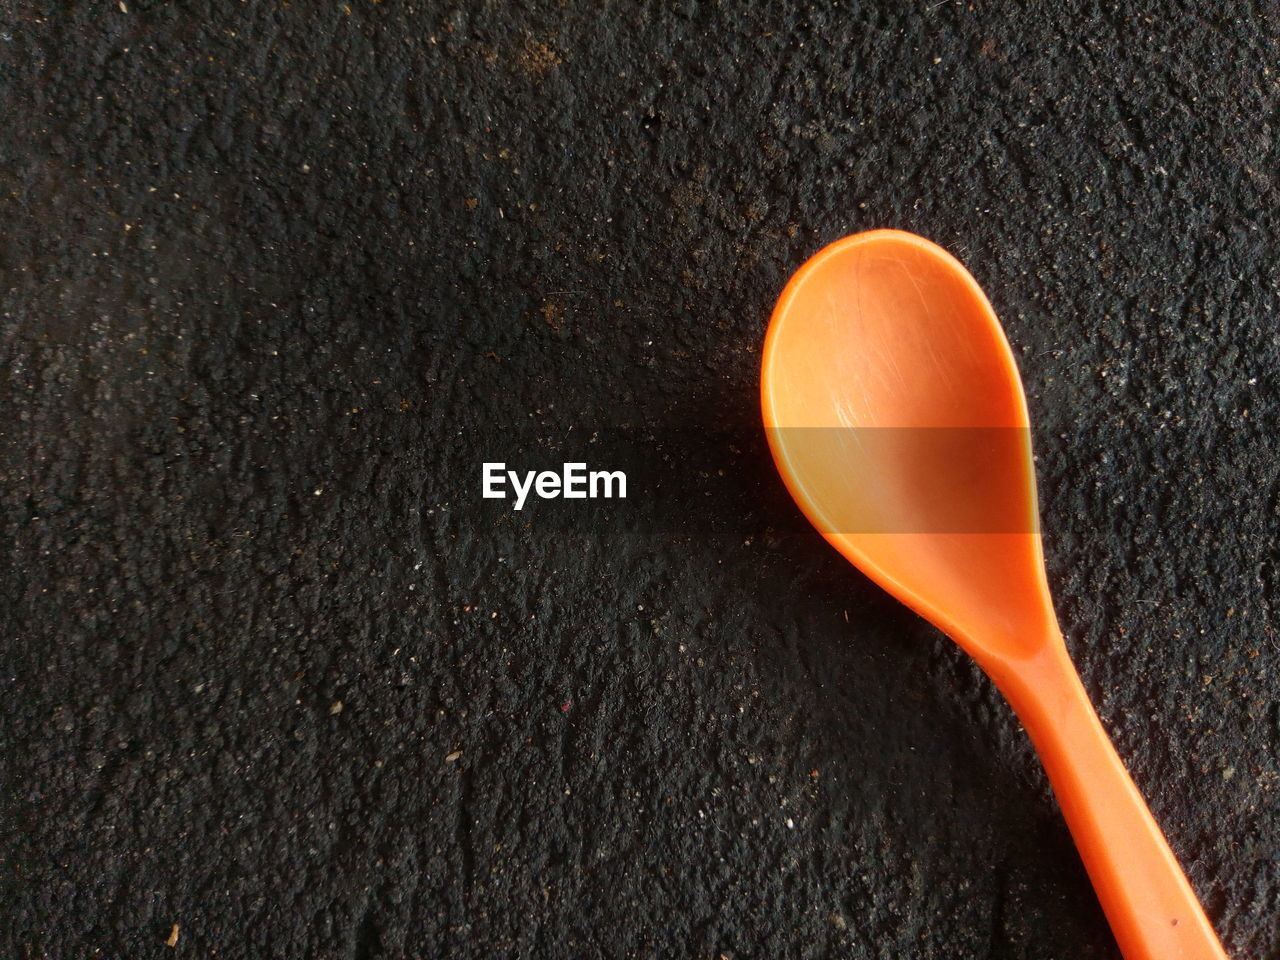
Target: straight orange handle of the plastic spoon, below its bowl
(1145, 894)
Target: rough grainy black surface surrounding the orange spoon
(273, 278)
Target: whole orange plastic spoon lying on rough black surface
(898, 420)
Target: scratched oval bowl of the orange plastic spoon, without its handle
(898, 420)
